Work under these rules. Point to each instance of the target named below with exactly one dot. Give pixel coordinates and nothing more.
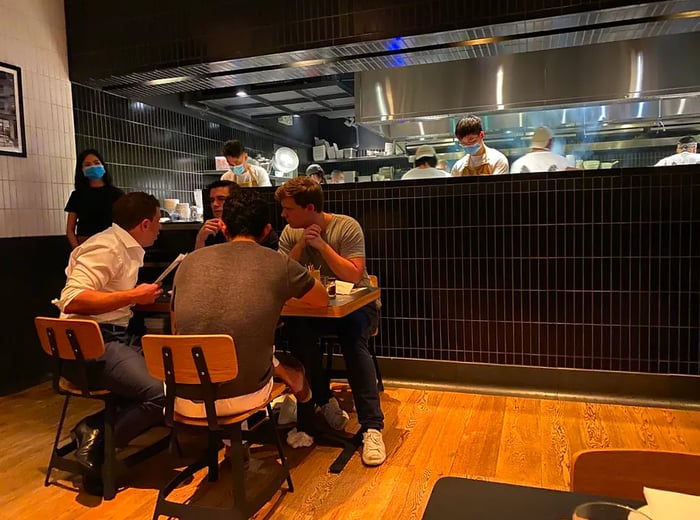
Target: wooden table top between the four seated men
(341, 305)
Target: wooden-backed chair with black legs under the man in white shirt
(72, 343)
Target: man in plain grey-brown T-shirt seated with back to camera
(264, 280)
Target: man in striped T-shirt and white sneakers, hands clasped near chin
(336, 244)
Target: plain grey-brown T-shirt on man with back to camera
(238, 288)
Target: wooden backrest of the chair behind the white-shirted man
(69, 339)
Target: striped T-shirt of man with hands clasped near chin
(343, 234)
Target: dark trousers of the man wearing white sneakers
(353, 333)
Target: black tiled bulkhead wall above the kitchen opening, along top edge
(143, 35)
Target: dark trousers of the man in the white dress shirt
(122, 370)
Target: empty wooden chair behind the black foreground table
(624, 473)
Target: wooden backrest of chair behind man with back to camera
(217, 351)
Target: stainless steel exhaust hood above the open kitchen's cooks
(619, 87)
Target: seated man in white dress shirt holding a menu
(101, 285)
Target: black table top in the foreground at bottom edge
(467, 499)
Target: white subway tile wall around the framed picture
(34, 189)
